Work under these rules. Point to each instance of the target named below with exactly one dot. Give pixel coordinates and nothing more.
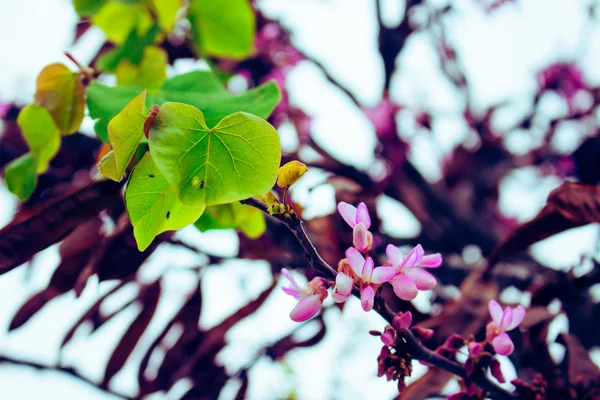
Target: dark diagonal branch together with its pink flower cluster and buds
(402, 339)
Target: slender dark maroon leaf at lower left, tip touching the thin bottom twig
(149, 300)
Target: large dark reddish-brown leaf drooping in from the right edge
(569, 206)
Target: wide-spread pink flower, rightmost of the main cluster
(409, 277)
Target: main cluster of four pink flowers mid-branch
(406, 274)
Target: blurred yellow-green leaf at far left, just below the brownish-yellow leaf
(40, 133)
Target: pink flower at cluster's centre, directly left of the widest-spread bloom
(369, 276)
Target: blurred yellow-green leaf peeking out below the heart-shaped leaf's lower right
(233, 215)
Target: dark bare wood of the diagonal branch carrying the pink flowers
(420, 352)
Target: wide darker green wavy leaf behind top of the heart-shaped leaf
(200, 89)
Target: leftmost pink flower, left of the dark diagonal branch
(310, 298)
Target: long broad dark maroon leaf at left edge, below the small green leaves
(40, 227)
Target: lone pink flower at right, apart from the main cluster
(503, 321)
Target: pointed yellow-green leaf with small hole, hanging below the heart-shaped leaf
(153, 206)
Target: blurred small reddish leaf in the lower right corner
(580, 368)
